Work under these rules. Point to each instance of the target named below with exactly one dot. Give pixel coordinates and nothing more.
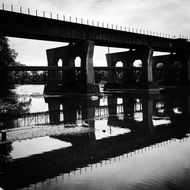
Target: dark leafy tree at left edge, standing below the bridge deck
(7, 58)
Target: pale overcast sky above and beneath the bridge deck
(166, 16)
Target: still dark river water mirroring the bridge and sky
(114, 141)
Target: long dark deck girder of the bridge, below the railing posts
(33, 27)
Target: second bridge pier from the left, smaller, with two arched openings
(133, 77)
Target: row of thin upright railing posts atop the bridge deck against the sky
(63, 17)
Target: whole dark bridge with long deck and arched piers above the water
(82, 38)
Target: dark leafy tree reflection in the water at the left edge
(10, 108)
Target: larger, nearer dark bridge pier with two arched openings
(72, 80)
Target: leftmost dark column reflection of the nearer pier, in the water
(54, 112)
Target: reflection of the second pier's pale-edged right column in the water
(147, 106)
